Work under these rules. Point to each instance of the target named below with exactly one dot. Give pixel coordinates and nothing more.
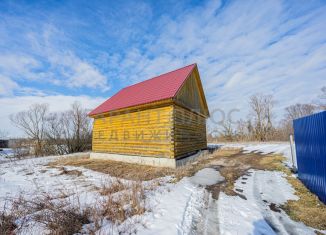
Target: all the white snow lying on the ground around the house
(185, 207)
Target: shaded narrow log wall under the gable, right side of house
(189, 131)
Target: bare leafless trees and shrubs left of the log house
(54, 132)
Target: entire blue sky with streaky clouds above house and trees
(61, 51)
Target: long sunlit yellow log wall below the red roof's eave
(146, 132)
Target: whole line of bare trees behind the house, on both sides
(71, 131)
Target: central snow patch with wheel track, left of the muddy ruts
(180, 208)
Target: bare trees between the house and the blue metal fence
(261, 124)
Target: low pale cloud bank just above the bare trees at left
(12, 105)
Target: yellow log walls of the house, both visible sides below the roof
(169, 131)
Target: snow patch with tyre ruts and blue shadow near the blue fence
(252, 215)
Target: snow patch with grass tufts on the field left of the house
(32, 177)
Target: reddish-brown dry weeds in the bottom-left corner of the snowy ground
(58, 216)
